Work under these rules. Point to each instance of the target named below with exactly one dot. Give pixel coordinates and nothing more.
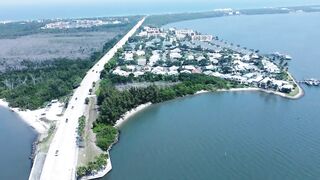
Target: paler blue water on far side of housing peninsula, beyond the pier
(294, 34)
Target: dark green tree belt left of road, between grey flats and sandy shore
(39, 83)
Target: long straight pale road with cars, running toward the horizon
(61, 159)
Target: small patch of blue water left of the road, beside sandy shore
(16, 140)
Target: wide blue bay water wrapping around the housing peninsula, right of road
(240, 135)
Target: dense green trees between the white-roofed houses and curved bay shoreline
(113, 103)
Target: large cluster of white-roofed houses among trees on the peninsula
(172, 51)
